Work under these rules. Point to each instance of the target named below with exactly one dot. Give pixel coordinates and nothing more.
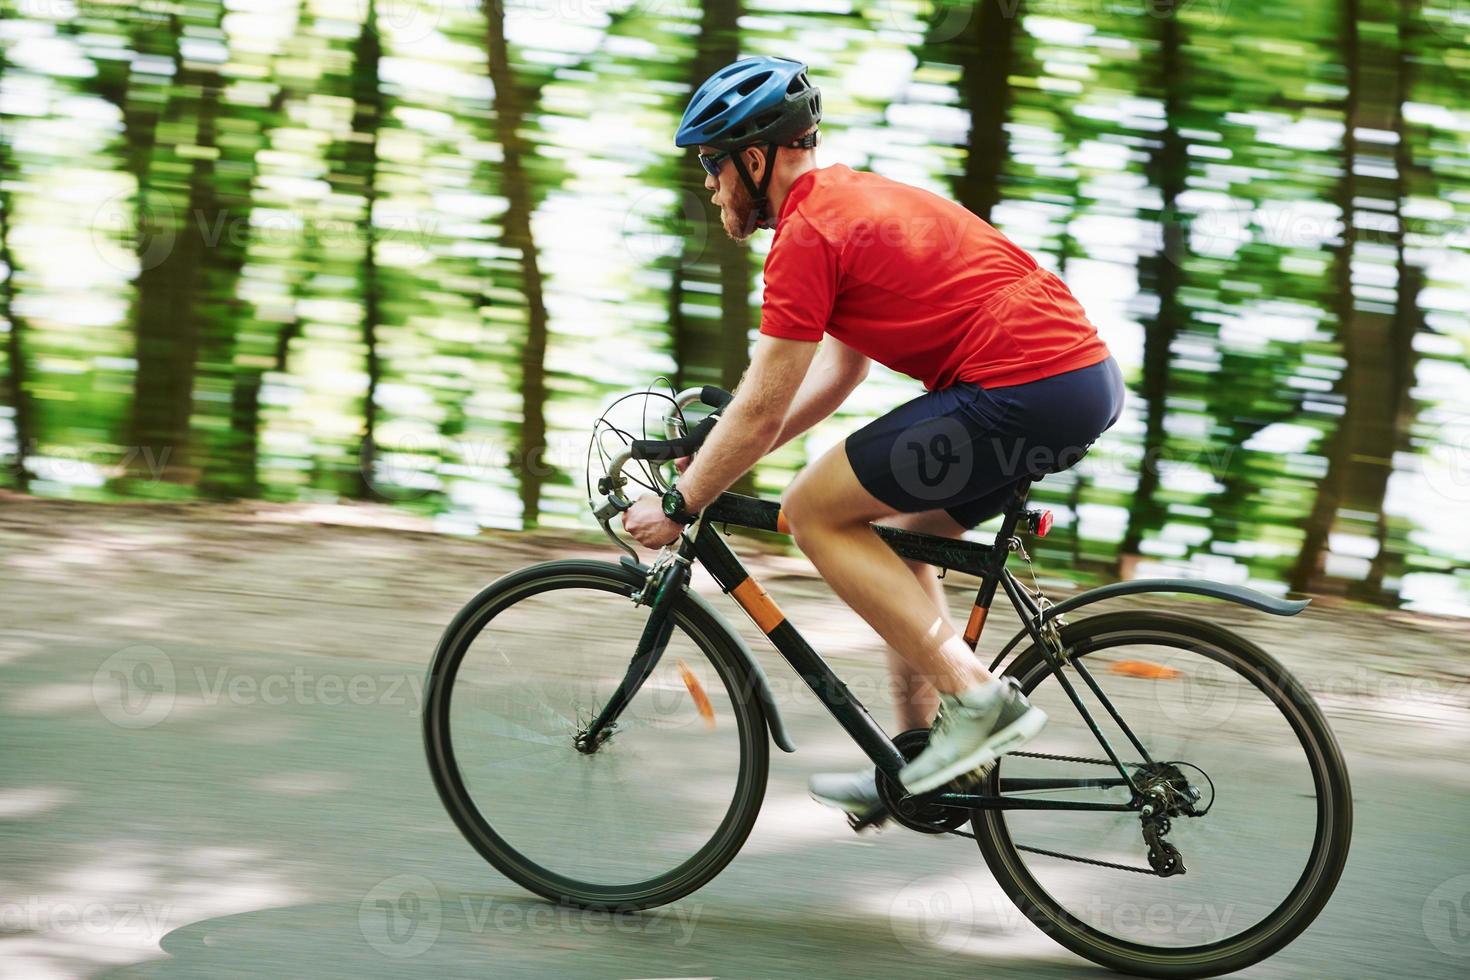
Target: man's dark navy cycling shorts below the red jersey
(964, 449)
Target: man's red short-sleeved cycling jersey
(919, 284)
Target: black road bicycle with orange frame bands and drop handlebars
(608, 747)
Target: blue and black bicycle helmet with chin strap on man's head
(750, 102)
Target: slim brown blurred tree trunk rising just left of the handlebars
(517, 234)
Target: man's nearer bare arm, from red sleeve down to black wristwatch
(752, 424)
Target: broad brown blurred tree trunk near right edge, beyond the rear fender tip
(1377, 339)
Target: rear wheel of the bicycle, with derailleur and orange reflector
(1209, 885)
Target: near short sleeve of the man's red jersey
(802, 280)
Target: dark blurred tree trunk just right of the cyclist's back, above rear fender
(1161, 274)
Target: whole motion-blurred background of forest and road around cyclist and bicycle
(283, 280)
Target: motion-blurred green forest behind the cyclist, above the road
(406, 252)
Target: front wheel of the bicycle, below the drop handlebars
(653, 812)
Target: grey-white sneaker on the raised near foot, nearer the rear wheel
(972, 731)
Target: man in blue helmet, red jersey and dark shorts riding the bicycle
(864, 268)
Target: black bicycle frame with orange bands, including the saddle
(987, 562)
